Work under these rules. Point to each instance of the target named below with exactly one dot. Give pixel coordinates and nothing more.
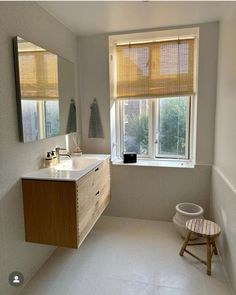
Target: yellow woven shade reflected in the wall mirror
(38, 75)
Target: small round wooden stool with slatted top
(203, 228)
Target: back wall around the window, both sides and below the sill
(151, 192)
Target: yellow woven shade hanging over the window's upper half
(155, 69)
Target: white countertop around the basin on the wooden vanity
(66, 175)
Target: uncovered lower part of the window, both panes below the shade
(157, 128)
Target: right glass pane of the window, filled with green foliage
(172, 126)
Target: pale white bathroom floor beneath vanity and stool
(124, 256)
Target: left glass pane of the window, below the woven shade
(135, 126)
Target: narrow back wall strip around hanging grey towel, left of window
(94, 83)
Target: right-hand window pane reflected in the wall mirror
(52, 124)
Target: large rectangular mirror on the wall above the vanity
(45, 92)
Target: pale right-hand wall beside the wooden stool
(223, 197)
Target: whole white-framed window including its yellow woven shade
(153, 89)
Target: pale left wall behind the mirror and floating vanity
(31, 22)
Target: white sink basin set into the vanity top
(77, 163)
